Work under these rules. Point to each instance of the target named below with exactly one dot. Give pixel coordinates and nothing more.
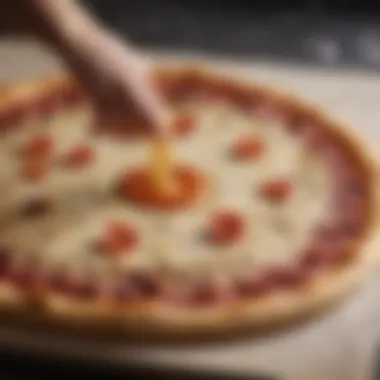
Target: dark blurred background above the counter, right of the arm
(322, 32)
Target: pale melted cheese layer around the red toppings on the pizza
(85, 199)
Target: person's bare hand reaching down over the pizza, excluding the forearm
(120, 81)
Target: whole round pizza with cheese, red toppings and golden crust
(270, 215)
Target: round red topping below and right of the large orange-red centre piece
(226, 228)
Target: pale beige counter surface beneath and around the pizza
(337, 346)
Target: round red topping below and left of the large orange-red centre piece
(118, 238)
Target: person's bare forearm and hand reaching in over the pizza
(115, 74)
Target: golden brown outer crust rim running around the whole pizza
(157, 319)
